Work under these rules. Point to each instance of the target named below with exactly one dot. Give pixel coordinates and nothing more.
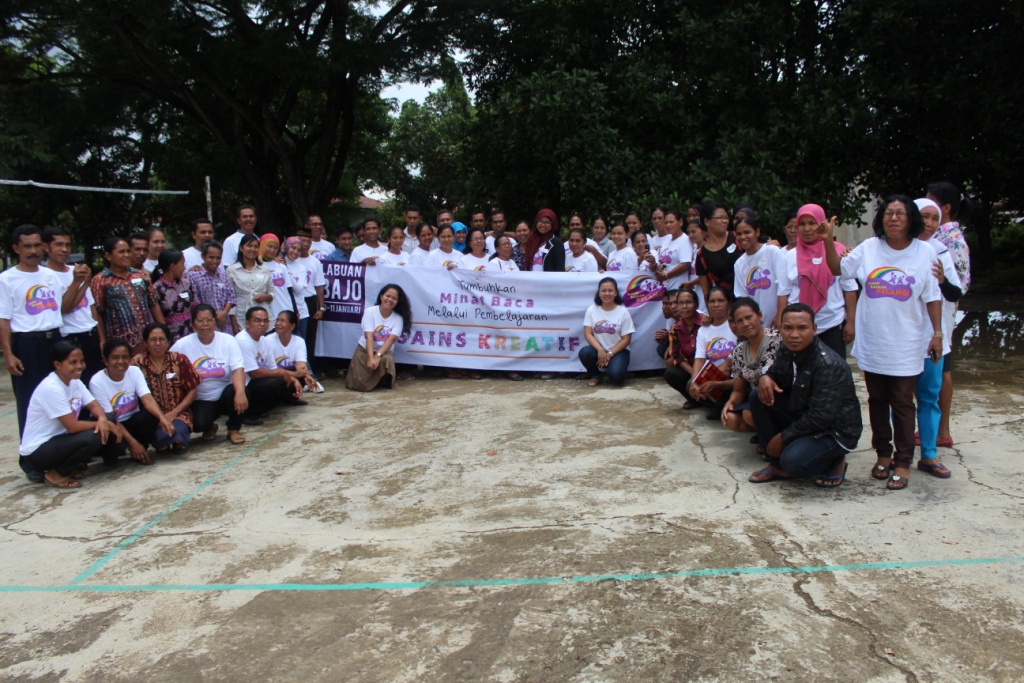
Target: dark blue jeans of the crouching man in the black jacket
(805, 457)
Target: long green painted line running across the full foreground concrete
(542, 581)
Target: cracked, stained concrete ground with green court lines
(459, 531)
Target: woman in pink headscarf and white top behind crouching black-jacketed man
(807, 280)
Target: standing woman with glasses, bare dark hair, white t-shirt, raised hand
(899, 322)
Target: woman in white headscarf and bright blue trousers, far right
(930, 380)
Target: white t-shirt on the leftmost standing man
(31, 301)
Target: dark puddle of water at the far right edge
(989, 343)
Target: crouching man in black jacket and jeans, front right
(806, 411)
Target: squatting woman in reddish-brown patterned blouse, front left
(173, 381)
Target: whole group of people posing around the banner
(163, 343)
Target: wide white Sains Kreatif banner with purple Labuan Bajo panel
(488, 321)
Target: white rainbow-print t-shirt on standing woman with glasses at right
(892, 316)
